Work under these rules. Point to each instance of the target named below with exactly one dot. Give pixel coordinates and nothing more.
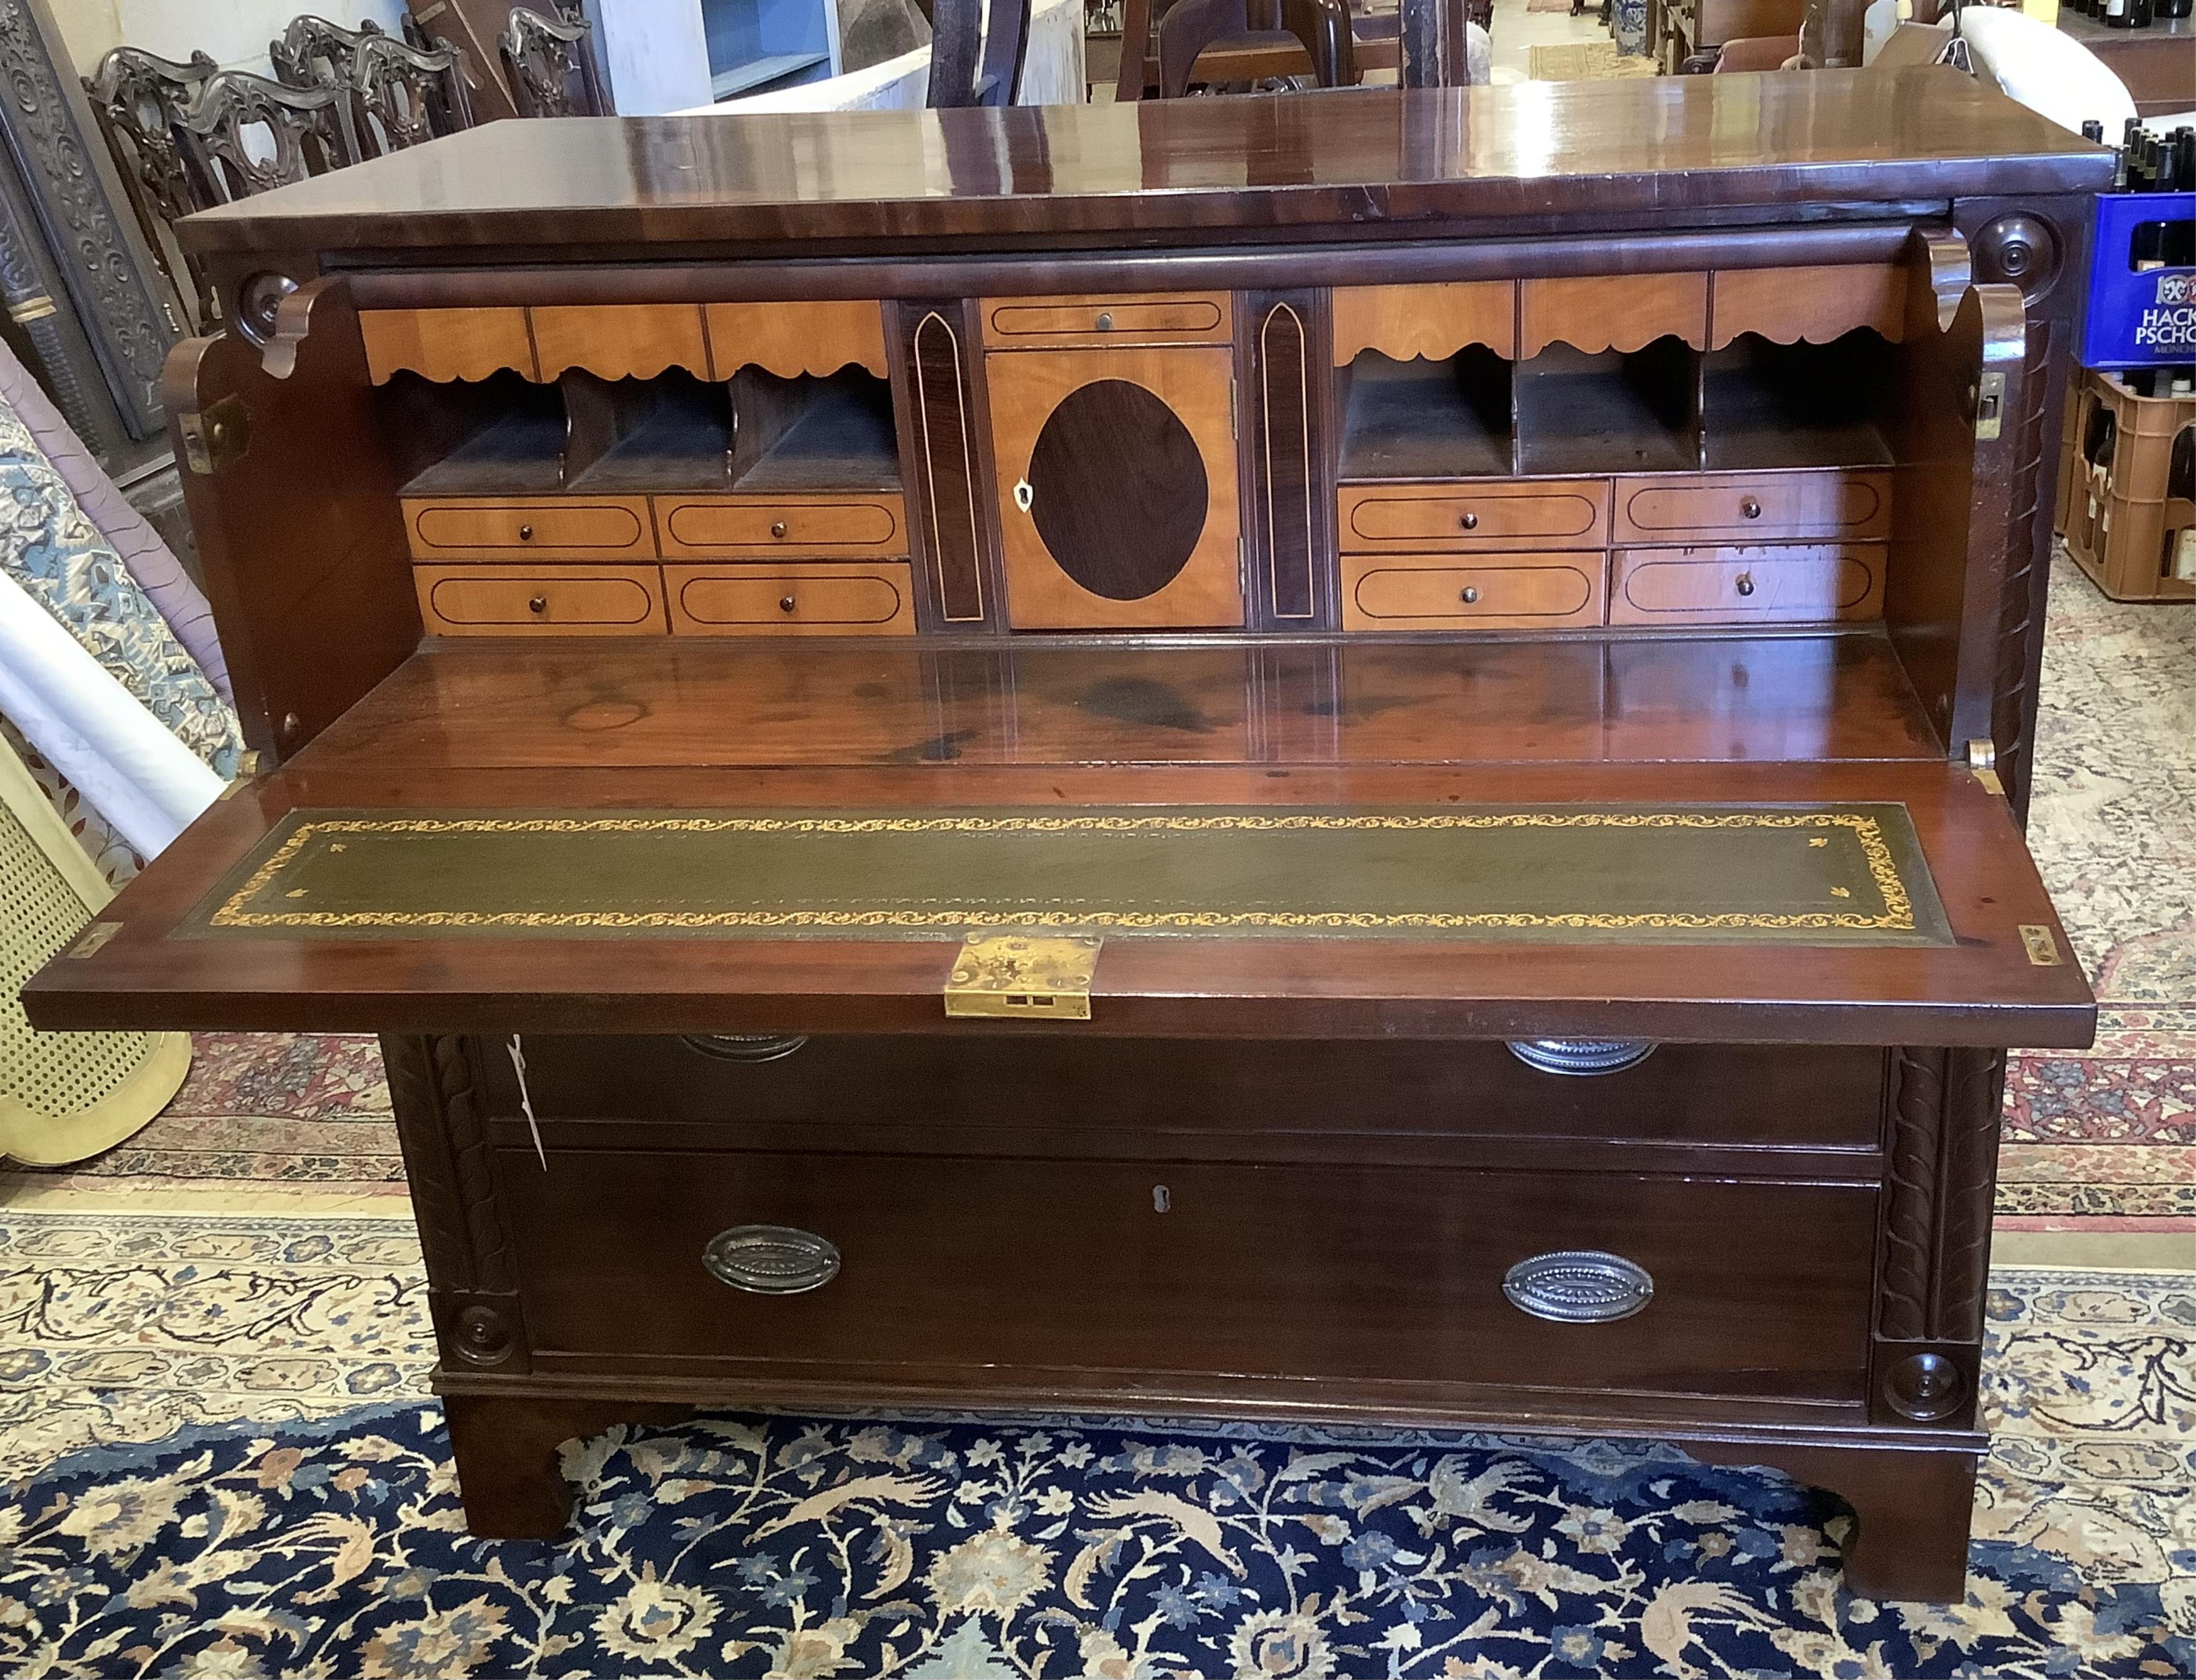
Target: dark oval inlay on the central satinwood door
(1119, 491)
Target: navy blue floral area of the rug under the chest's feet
(983, 1552)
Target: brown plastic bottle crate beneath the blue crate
(2120, 524)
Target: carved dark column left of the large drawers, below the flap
(442, 1128)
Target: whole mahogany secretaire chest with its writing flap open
(1345, 757)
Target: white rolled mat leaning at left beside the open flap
(93, 730)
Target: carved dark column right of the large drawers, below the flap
(1934, 1257)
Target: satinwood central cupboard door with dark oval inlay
(1117, 489)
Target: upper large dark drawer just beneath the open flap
(1033, 1095)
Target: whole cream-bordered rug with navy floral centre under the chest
(322, 1534)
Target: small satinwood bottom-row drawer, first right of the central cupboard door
(1490, 592)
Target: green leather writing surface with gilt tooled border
(1789, 875)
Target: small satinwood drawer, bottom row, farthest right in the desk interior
(1795, 583)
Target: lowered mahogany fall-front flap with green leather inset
(1833, 921)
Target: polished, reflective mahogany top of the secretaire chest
(1338, 166)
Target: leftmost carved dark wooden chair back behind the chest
(142, 104)
